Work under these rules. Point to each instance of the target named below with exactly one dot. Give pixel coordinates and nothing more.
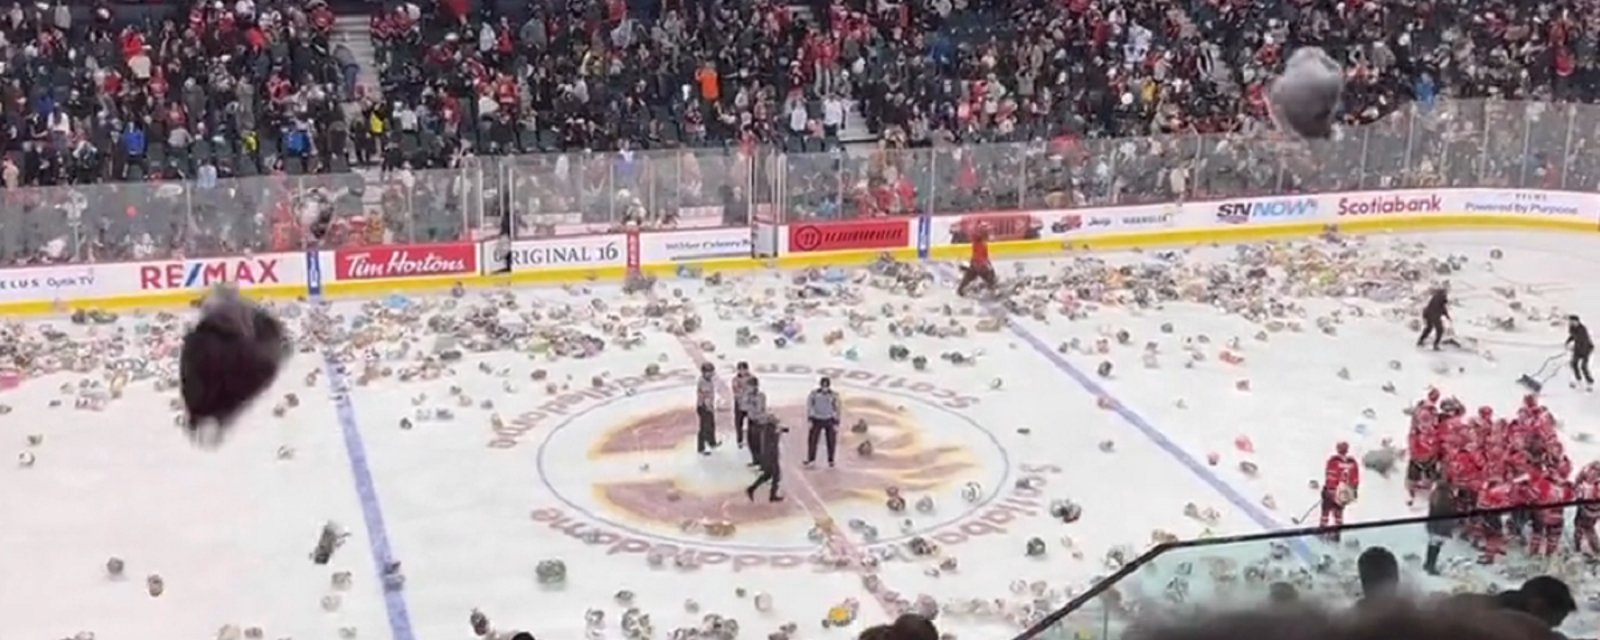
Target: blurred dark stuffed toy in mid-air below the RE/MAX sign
(228, 359)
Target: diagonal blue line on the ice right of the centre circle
(1150, 431)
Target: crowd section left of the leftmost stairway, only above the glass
(170, 92)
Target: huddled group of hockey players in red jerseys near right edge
(1484, 463)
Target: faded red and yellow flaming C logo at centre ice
(900, 458)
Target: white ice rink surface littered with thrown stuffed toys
(602, 473)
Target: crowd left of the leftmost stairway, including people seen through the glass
(100, 98)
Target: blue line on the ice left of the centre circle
(366, 489)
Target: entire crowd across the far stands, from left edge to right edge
(644, 108)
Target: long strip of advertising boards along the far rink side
(318, 271)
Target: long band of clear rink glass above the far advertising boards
(1447, 145)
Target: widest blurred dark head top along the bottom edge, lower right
(1386, 620)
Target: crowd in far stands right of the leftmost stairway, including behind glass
(1033, 90)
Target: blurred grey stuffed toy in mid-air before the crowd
(1306, 98)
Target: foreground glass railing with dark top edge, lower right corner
(1319, 566)
